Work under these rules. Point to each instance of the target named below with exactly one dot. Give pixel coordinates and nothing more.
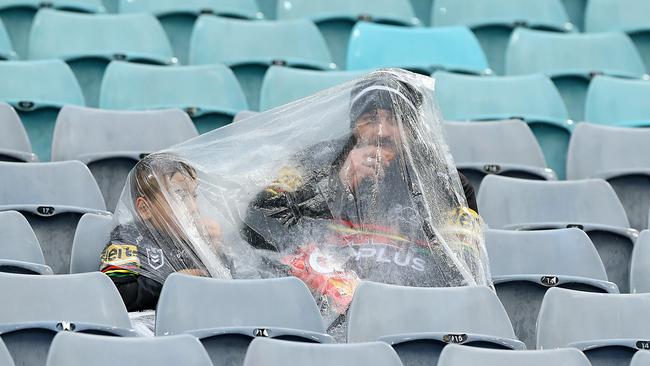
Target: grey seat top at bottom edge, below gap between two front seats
(272, 352)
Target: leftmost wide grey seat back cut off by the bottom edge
(70, 349)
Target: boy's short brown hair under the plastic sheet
(147, 173)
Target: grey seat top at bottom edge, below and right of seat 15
(455, 355)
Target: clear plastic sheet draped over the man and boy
(353, 183)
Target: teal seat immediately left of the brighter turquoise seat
(295, 43)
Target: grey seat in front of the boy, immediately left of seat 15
(227, 314)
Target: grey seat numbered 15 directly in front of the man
(419, 322)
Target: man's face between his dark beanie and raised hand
(378, 127)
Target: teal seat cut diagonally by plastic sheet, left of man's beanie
(283, 85)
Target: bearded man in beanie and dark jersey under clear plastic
(353, 209)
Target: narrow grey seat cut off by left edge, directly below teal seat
(14, 143)
